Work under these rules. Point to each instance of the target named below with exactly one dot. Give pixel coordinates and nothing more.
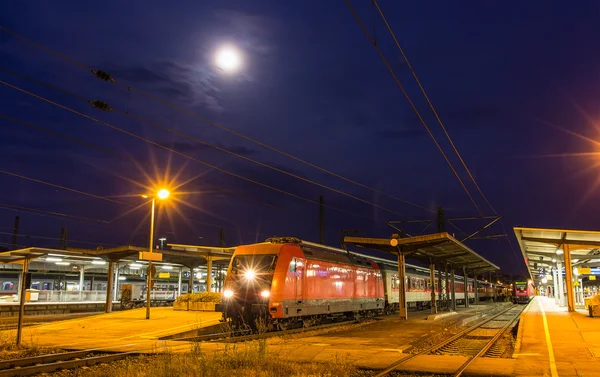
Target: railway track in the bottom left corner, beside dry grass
(53, 362)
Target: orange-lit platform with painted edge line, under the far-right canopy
(553, 342)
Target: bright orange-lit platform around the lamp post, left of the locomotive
(120, 331)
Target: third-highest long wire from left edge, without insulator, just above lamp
(177, 152)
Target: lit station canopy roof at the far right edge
(541, 247)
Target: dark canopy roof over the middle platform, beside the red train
(430, 248)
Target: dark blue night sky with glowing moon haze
(512, 83)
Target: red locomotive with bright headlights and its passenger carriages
(291, 283)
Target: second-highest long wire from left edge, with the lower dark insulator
(202, 142)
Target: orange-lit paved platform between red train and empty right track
(377, 345)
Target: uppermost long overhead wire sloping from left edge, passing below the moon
(104, 76)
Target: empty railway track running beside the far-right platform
(475, 341)
